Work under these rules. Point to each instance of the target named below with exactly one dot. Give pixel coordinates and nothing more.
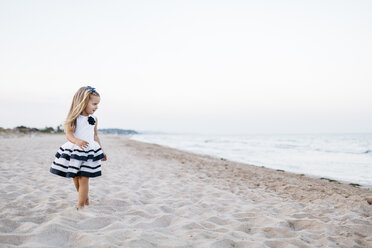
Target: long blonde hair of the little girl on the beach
(79, 103)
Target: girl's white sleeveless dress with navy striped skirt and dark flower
(71, 160)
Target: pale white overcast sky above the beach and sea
(190, 66)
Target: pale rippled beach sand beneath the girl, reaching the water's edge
(154, 196)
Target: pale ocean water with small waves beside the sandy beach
(343, 157)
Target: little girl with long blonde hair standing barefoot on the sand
(81, 156)
